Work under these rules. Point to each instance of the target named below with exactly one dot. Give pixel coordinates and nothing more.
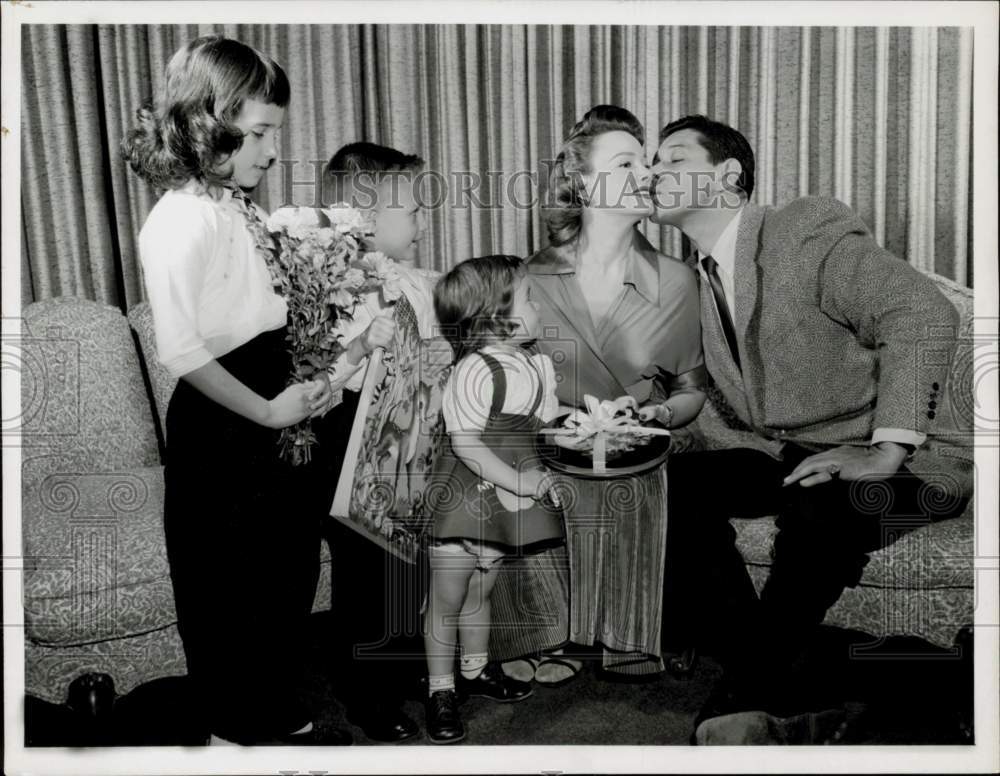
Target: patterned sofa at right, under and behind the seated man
(922, 584)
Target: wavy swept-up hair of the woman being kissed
(564, 205)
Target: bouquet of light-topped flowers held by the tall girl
(318, 264)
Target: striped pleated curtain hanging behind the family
(880, 118)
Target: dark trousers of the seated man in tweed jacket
(825, 533)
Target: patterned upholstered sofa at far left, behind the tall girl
(97, 592)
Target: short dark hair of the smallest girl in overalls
(474, 301)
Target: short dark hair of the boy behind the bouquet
(357, 168)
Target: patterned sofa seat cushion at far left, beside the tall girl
(95, 558)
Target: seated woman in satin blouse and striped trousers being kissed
(618, 318)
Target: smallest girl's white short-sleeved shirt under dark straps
(468, 396)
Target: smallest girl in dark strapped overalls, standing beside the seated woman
(489, 496)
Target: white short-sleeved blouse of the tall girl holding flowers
(208, 286)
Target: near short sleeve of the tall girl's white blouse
(175, 247)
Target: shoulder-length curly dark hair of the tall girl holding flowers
(189, 132)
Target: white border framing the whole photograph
(983, 757)
